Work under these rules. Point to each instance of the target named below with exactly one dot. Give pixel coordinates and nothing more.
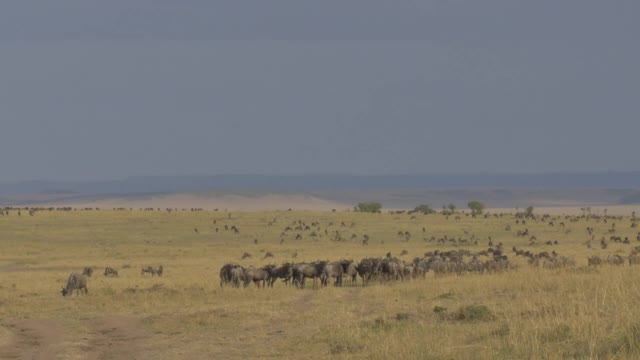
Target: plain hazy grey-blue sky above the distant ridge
(94, 89)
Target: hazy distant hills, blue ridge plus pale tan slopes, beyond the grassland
(342, 191)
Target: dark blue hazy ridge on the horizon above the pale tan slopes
(305, 183)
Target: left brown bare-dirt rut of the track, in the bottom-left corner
(33, 339)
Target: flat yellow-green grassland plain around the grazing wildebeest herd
(526, 313)
